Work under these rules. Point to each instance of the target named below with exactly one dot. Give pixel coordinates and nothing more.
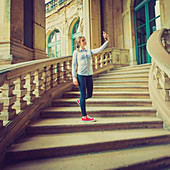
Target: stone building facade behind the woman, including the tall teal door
(129, 23)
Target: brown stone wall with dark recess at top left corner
(22, 31)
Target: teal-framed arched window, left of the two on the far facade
(54, 44)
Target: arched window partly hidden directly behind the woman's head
(75, 33)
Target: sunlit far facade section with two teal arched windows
(61, 20)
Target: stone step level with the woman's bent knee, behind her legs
(110, 94)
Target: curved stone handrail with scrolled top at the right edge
(159, 78)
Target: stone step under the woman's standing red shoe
(70, 125)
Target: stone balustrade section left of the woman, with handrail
(25, 82)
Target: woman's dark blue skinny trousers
(85, 85)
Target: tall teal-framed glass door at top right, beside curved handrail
(147, 20)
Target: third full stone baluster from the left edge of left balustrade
(30, 85)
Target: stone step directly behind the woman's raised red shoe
(103, 102)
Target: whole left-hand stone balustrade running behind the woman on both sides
(22, 84)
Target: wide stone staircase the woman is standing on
(127, 134)
